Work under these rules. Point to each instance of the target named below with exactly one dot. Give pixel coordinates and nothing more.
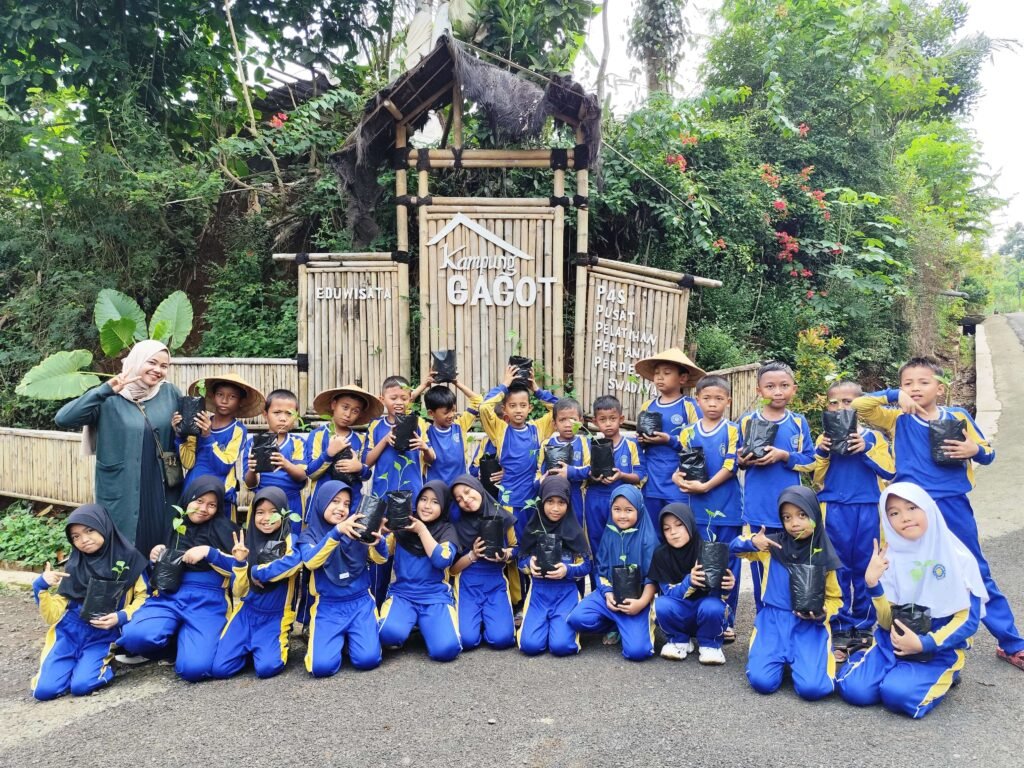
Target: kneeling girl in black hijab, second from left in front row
(197, 611)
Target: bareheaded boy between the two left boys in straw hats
(289, 460)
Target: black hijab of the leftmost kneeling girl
(82, 568)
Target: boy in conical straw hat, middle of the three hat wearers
(347, 407)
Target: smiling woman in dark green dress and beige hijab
(127, 426)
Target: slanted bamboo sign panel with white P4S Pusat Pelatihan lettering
(624, 317)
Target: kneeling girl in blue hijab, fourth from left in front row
(344, 615)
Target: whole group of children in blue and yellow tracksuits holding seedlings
(362, 537)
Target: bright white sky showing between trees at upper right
(997, 121)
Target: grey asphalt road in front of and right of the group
(501, 709)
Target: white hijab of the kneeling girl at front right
(936, 571)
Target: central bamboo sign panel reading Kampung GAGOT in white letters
(492, 286)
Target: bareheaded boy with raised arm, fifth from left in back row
(445, 449)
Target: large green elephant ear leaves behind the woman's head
(121, 323)
